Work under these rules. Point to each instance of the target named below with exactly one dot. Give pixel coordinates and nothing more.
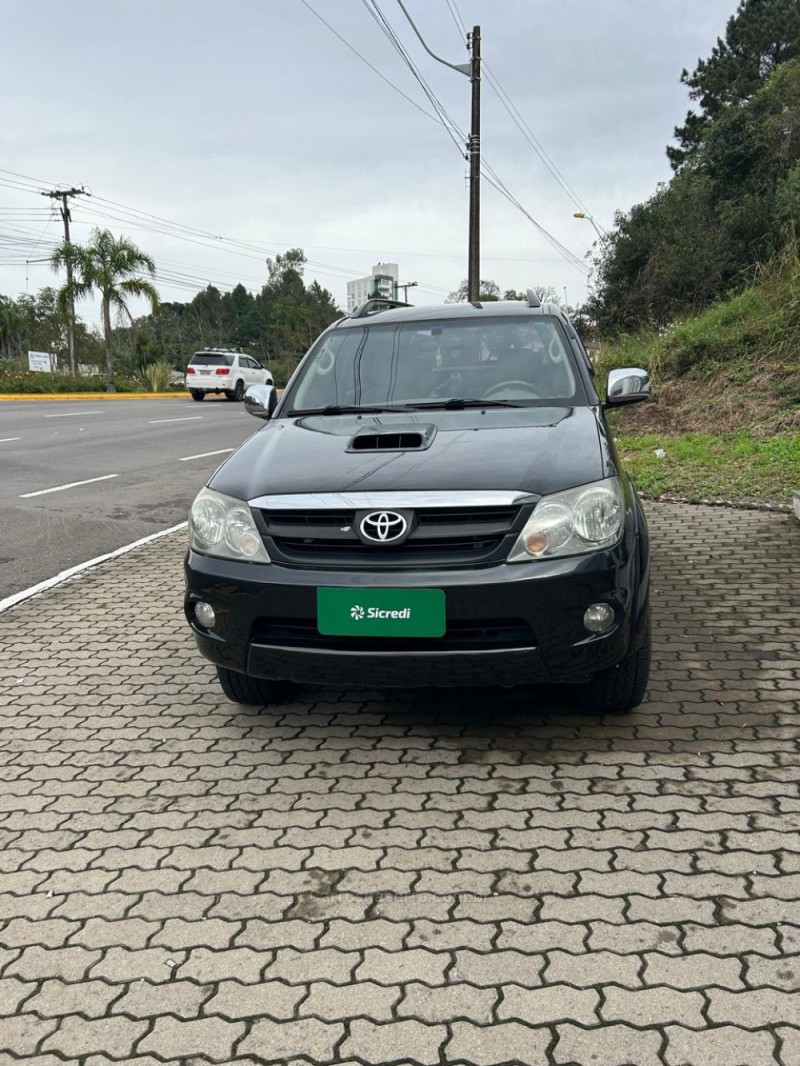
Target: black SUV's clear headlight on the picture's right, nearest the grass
(573, 523)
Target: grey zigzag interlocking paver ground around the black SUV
(473, 878)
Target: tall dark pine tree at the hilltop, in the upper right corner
(762, 36)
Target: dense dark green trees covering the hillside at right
(733, 203)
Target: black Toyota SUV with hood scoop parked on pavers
(436, 500)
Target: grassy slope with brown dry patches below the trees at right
(727, 414)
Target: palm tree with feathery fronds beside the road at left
(111, 266)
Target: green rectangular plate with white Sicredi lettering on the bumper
(381, 612)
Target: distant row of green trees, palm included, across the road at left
(277, 325)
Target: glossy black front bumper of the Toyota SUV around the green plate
(516, 624)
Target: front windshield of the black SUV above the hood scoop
(523, 362)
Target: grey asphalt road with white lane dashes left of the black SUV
(150, 458)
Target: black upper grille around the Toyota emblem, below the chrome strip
(440, 537)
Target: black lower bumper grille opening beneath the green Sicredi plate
(474, 636)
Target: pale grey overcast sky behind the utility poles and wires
(216, 135)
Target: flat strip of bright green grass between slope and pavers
(731, 467)
